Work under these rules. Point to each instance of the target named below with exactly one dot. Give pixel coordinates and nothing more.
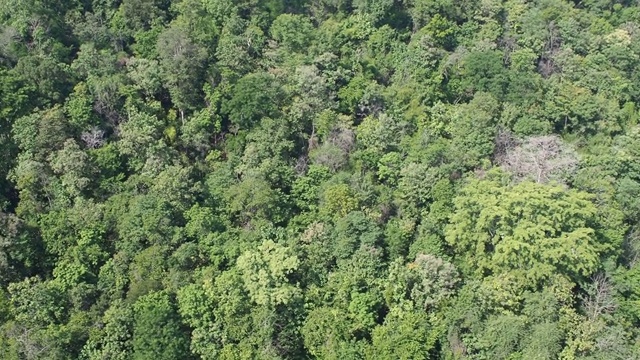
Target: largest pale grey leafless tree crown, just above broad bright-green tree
(541, 158)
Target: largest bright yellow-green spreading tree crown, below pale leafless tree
(530, 231)
